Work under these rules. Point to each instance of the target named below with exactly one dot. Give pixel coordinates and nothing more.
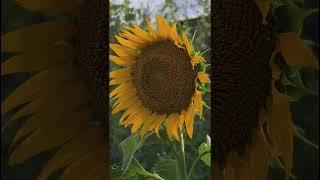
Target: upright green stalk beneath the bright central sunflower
(181, 162)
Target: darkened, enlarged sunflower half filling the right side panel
(252, 123)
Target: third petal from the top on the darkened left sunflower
(35, 61)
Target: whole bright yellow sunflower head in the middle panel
(158, 82)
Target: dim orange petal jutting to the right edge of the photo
(295, 51)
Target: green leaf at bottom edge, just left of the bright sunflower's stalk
(167, 169)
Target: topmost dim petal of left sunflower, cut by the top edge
(60, 6)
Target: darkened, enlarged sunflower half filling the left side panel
(65, 99)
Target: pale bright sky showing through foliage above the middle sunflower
(186, 8)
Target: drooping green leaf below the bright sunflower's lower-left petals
(129, 146)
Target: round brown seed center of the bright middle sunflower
(164, 77)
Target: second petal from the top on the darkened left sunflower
(36, 36)
